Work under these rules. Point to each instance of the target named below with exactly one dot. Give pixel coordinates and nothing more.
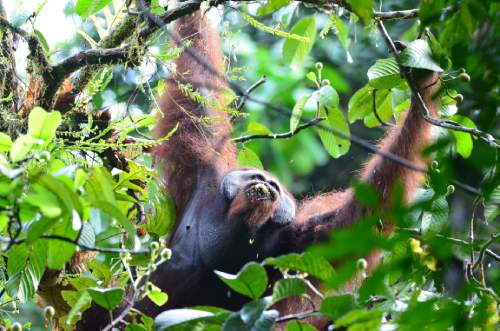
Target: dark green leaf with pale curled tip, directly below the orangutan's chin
(251, 281)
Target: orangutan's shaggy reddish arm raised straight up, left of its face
(192, 101)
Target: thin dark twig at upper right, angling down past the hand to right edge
(420, 101)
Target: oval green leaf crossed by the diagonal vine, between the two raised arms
(334, 144)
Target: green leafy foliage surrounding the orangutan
(79, 201)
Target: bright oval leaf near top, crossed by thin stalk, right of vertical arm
(295, 52)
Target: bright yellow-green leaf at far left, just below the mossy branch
(43, 125)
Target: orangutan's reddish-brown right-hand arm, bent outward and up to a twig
(321, 214)
